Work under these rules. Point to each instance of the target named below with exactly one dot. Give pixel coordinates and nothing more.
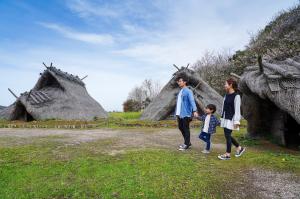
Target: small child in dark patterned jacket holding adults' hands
(210, 122)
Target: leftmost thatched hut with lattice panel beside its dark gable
(56, 95)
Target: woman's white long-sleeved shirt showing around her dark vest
(229, 124)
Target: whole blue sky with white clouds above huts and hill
(120, 43)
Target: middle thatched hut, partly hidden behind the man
(164, 104)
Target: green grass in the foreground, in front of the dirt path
(46, 168)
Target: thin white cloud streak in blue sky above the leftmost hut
(80, 36)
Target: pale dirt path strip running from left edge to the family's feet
(137, 138)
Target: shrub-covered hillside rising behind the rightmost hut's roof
(280, 39)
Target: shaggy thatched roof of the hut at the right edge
(277, 81)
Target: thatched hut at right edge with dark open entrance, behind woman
(271, 100)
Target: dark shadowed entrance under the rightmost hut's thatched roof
(268, 120)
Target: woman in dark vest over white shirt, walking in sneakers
(230, 120)
